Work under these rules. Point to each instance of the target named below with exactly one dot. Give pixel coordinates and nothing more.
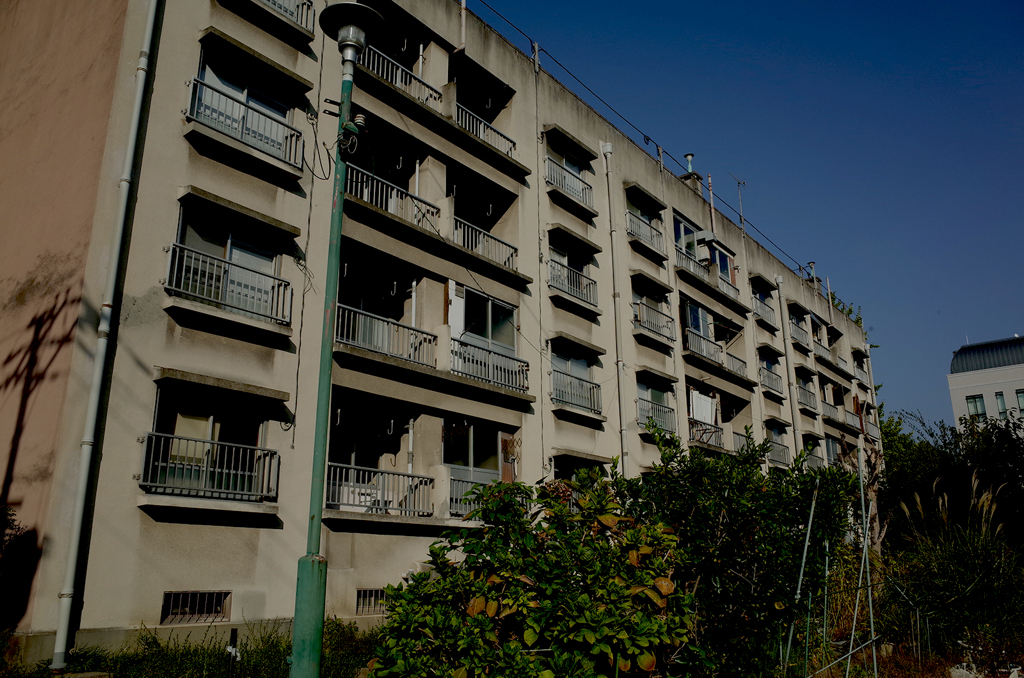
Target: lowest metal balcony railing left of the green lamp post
(192, 468)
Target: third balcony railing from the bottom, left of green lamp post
(224, 112)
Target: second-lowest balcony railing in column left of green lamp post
(227, 284)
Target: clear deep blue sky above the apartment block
(883, 141)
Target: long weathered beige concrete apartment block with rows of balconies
(505, 247)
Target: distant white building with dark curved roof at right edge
(987, 379)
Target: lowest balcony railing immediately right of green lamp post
(379, 492)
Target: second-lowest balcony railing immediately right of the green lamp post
(358, 328)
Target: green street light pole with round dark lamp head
(347, 23)
